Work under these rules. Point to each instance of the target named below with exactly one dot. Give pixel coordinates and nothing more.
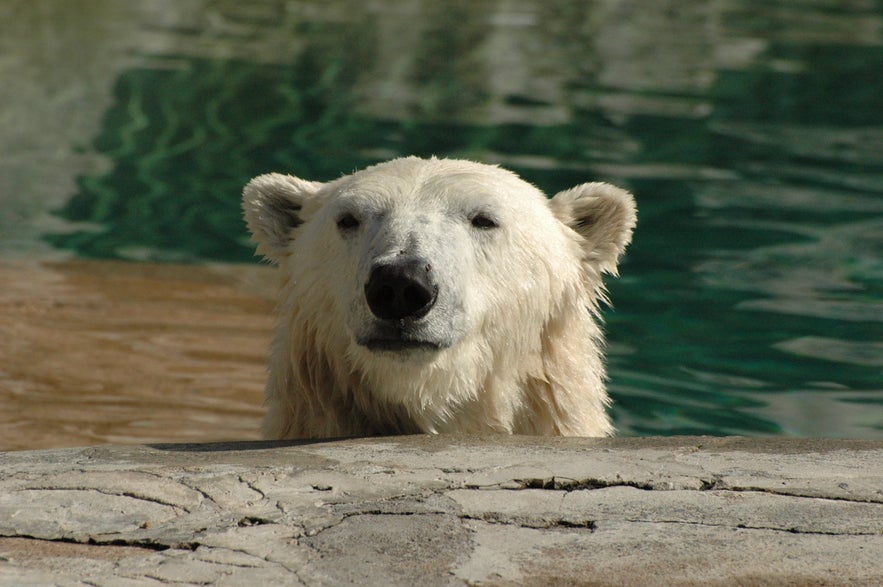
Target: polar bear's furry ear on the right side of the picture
(603, 215)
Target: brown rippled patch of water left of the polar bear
(95, 352)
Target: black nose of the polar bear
(402, 289)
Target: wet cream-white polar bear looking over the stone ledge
(434, 296)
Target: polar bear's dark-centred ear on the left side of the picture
(272, 205)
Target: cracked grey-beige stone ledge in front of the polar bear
(446, 510)
